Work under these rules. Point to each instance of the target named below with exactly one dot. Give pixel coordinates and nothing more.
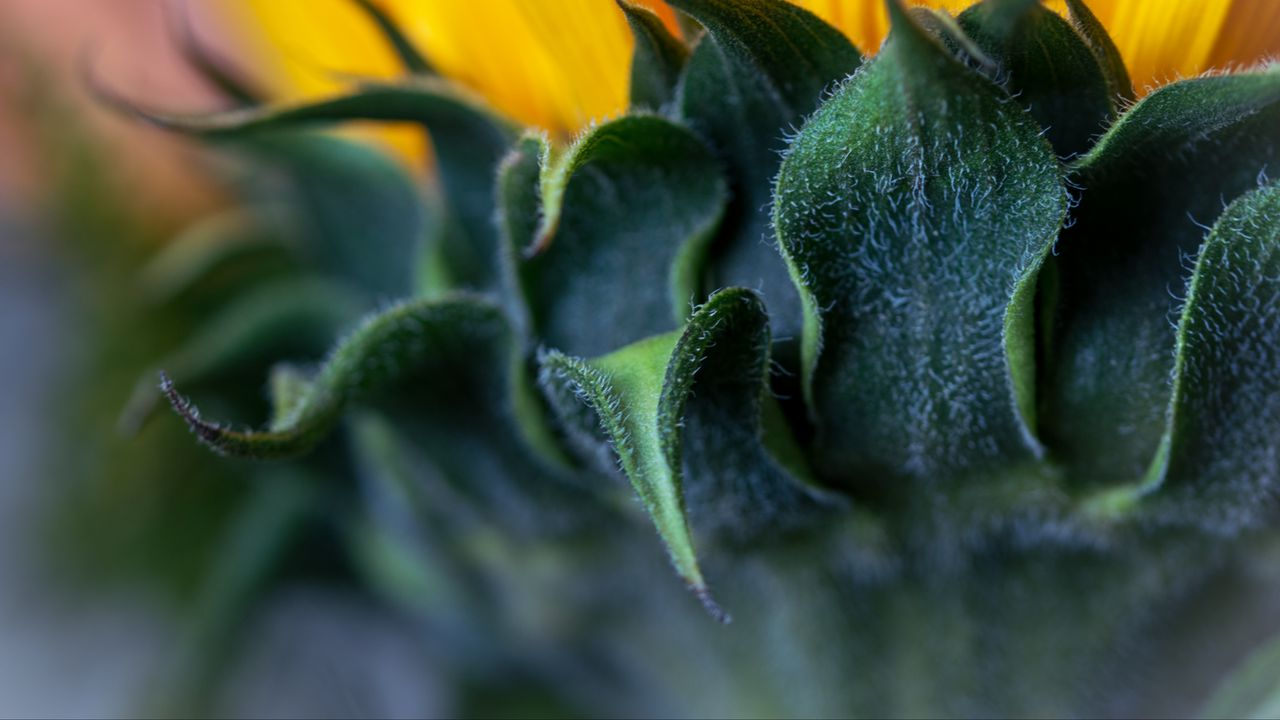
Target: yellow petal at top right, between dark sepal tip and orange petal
(1163, 40)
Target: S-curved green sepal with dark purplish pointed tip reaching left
(385, 349)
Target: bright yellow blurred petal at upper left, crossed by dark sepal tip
(555, 65)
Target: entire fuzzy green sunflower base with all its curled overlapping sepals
(926, 367)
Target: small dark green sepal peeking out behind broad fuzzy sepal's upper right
(1046, 66)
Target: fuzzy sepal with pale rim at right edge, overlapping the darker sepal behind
(1219, 462)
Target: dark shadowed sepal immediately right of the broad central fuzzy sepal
(1164, 168)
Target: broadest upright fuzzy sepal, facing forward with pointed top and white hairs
(916, 208)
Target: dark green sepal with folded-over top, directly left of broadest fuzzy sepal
(761, 69)
